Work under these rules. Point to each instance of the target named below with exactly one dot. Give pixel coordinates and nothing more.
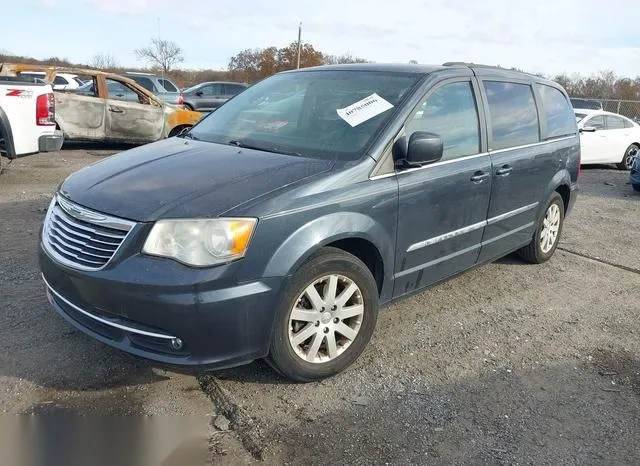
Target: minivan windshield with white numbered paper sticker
(297, 113)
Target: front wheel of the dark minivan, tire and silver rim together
(310, 356)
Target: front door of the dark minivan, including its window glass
(443, 206)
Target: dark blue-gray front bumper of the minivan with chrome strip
(219, 323)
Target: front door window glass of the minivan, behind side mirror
(451, 112)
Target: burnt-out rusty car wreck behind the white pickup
(112, 108)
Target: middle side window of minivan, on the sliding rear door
(513, 113)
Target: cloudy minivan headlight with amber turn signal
(199, 242)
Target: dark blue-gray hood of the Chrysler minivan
(178, 178)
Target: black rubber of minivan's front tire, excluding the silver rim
(328, 261)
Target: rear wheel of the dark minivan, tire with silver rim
(538, 251)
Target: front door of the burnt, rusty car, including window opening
(130, 117)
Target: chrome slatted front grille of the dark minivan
(82, 238)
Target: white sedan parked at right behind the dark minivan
(607, 137)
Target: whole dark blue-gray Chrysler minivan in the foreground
(280, 223)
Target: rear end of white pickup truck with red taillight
(27, 118)
